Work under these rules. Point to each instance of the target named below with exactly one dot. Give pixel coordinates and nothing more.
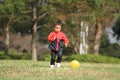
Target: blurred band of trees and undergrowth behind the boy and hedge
(24, 26)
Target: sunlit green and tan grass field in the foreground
(29, 70)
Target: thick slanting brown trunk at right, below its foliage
(98, 37)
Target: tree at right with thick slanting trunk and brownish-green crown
(103, 14)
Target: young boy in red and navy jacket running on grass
(57, 37)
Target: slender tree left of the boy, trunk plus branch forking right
(36, 16)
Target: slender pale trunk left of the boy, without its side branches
(33, 41)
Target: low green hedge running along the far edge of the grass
(81, 58)
